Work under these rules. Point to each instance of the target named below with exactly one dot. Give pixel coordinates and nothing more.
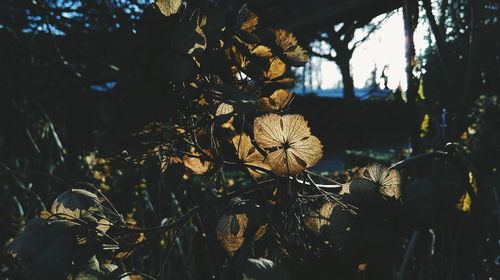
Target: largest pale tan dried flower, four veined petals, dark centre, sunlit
(288, 139)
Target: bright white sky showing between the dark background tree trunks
(384, 47)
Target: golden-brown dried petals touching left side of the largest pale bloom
(249, 154)
